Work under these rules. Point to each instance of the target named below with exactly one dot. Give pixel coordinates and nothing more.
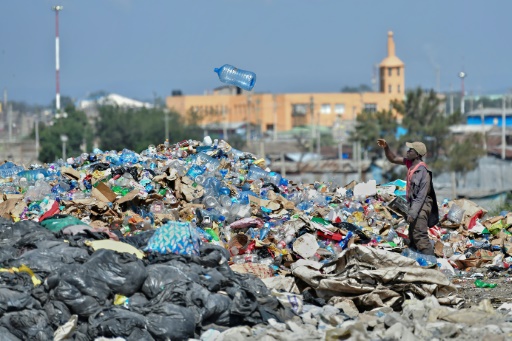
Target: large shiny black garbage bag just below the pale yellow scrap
(124, 273)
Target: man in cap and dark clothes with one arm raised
(421, 197)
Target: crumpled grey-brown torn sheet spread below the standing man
(378, 276)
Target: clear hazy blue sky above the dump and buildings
(139, 48)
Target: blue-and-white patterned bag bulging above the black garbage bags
(175, 237)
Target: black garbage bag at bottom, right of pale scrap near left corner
(115, 322)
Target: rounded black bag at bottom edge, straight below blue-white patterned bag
(168, 321)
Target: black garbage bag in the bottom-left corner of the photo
(28, 325)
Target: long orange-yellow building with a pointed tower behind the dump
(230, 106)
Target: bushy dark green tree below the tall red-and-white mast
(75, 126)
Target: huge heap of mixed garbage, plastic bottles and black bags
(196, 238)
